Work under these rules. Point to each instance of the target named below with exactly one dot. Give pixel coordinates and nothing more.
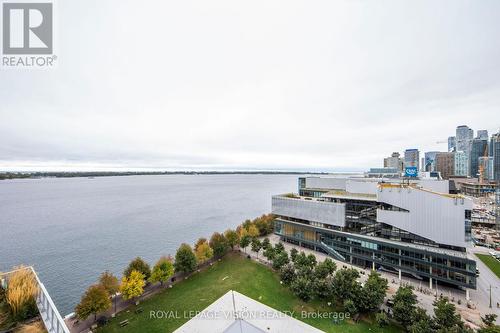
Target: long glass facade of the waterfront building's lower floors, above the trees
(424, 262)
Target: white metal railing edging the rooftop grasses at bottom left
(51, 317)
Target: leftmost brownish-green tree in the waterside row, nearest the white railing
(95, 300)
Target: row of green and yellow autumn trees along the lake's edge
(97, 298)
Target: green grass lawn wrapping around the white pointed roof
(232, 273)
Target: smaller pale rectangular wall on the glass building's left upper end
(311, 210)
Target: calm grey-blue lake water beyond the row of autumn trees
(72, 229)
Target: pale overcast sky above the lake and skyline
(283, 85)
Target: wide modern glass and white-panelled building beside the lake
(409, 229)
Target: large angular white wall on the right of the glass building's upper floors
(433, 216)
